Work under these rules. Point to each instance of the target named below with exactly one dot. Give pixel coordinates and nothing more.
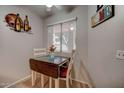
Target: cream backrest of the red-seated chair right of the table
(70, 65)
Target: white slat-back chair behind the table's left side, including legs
(37, 52)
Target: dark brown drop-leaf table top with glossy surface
(48, 65)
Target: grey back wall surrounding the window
(82, 35)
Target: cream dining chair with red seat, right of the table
(65, 71)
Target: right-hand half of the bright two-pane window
(68, 36)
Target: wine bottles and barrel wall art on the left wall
(15, 22)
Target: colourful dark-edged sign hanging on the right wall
(104, 13)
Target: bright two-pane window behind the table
(62, 36)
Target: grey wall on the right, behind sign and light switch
(103, 41)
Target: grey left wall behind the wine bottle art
(16, 48)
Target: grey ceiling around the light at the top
(41, 9)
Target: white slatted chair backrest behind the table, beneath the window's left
(37, 52)
